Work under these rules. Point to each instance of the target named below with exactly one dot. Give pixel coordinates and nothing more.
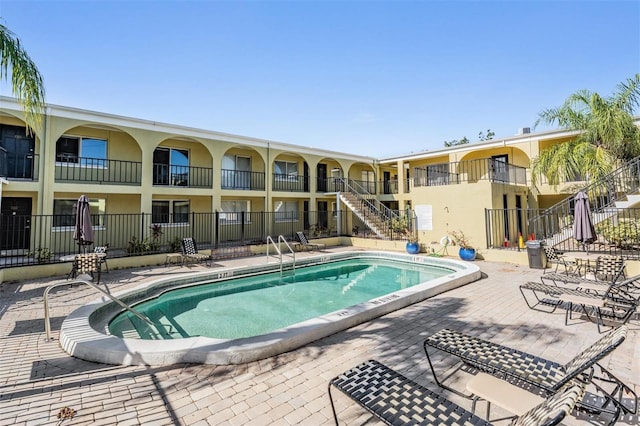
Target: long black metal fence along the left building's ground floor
(39, 239)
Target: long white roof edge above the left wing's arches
(174, 129)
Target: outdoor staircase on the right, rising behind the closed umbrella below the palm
(618, 190)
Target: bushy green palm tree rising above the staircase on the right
(607, 135)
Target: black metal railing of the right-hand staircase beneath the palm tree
(602, 194)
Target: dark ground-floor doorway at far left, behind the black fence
(15, 224)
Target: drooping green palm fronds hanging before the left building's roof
(26, 82)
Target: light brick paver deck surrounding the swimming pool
(38, 380)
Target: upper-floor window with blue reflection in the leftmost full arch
(86, 152)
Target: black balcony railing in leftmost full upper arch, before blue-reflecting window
(97, 170)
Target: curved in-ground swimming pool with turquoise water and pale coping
(237, 315)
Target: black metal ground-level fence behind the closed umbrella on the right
(617, 230)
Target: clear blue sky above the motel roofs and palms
(377, 78)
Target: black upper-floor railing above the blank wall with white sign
(469, 171)
